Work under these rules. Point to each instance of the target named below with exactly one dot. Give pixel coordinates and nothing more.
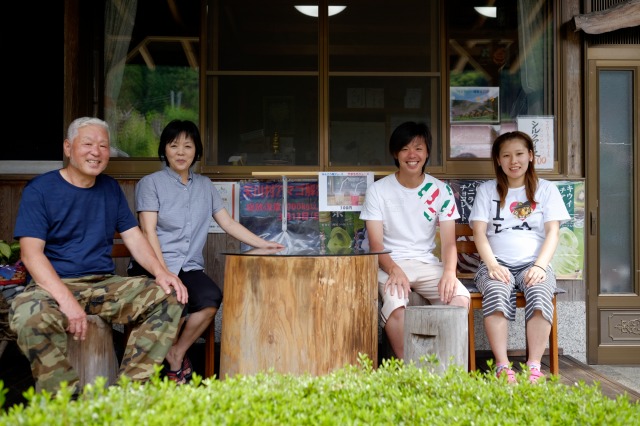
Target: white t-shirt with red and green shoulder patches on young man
(409, 216)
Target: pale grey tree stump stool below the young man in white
(436, 329)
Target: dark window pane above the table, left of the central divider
(262, 80)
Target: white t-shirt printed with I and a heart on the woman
(516, 232)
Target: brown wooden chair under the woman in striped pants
(465, 245)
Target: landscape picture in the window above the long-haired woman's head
(474, 105)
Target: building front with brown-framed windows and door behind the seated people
(278, 92)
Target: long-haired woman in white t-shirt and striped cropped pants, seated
(516, 222)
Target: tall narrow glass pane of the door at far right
(616, 181)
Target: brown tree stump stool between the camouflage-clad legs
(95, 356)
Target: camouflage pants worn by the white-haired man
(136, 301)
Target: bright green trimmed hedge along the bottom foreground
(393, 394)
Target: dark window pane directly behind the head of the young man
(384, 69)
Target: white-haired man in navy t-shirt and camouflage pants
(65, 224)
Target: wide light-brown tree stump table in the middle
(298, 313)
